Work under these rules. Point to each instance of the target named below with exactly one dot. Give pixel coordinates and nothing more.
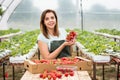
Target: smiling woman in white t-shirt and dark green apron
(52, 40)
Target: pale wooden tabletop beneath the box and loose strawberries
(79, 75)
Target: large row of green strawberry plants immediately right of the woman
(96, 44)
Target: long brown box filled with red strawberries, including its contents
(38, 66)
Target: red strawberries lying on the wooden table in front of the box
(54, 74)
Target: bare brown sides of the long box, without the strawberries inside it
(34, 68)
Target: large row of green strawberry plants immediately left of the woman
(20, 44)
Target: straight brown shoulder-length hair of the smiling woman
(43, 26)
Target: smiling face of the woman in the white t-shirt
(50, 20)
